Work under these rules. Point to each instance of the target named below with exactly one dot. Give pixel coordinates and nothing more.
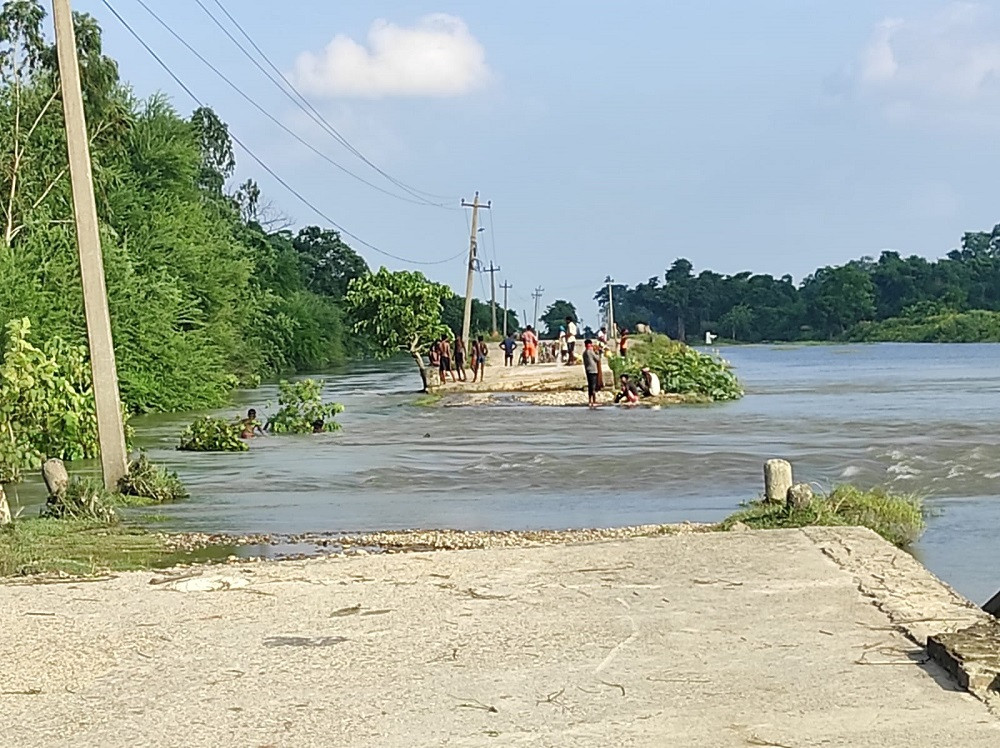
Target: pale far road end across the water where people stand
(539, 384)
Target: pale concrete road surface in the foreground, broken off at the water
(796, 637)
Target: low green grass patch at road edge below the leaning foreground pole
(83, 547)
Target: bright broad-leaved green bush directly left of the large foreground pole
(46, 403)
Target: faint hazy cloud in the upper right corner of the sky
(951, 56)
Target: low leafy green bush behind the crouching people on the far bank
(681, 369)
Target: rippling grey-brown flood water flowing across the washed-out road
(919, 418)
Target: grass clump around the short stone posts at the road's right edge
(899, 518)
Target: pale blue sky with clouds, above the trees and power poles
(611, 138)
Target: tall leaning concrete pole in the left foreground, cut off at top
(110, 431)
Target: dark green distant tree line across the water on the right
(956, 298)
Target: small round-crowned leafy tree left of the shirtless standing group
(398, 311)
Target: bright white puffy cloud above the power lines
(436, 57)
